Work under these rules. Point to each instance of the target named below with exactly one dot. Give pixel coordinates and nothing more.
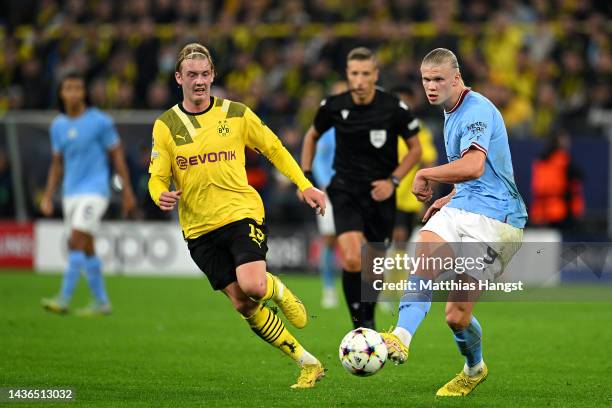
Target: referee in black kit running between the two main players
(368, 122)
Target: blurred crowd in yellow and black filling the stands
(545, 63)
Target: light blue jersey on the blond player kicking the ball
(476, 123)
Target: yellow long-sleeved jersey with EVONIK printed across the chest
(205, 156)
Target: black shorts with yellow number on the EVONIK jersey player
(219, 252)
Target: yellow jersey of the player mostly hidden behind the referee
(406, 201)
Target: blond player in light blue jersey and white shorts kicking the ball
(484, 209)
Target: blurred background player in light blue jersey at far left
(82, 138)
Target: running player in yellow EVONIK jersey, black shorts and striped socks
(200, 144)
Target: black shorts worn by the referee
(358, 211)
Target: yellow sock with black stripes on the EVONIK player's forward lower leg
(269, 327)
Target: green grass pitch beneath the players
(174, 342)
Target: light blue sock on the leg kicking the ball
(414, 305)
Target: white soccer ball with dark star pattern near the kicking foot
(363, 352)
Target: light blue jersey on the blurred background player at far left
(84, 142)
